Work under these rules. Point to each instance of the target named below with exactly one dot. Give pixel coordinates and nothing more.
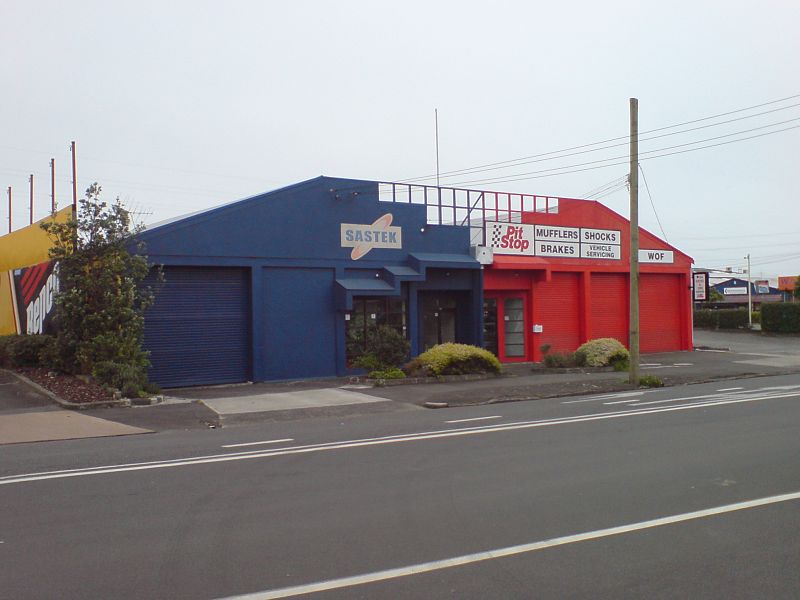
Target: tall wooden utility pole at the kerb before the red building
(634, 250)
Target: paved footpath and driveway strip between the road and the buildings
(26, 415)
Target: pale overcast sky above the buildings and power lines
(178, 106)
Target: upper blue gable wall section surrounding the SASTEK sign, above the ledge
(301, 222)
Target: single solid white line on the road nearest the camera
(467, 559)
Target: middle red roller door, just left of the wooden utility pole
(609, 298)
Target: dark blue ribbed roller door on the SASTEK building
(197, 331)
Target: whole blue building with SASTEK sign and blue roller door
(272, 287)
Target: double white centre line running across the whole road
(392, 439)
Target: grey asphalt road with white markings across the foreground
(583, 497)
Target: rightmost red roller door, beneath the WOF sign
(660, 312)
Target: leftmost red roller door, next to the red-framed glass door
(558, 304)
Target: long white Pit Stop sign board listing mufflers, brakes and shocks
(554, 241)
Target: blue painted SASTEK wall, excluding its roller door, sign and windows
(302, 280)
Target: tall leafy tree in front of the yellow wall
(100, 308)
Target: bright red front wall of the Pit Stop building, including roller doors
(575, 300)
